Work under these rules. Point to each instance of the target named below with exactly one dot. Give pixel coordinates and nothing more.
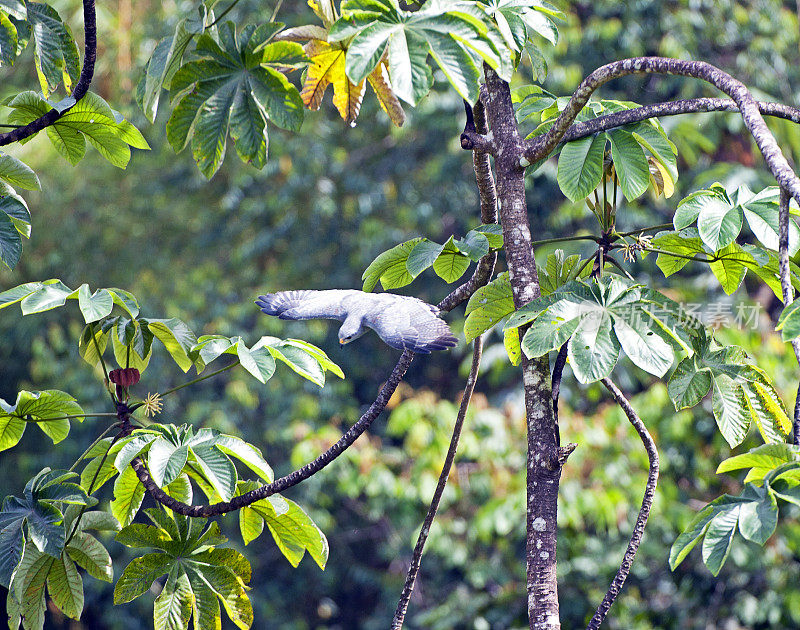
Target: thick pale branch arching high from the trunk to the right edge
(748, 106)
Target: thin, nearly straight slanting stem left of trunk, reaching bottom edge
(416, 558)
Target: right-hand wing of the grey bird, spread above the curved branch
(410, 324)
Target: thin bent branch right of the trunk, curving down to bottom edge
(644, 512)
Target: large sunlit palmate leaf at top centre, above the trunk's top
(458, 36)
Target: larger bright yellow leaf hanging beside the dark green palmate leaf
(327, 68)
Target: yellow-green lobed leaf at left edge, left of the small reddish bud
(40, 407)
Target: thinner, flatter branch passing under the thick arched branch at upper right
(672, 108)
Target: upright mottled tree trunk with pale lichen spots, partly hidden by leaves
(544, 461)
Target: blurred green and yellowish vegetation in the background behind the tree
(328, 201)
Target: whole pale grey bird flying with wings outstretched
(405, 323)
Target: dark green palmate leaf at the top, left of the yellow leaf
(233, 86)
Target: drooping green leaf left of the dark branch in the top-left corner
(55, 51)
